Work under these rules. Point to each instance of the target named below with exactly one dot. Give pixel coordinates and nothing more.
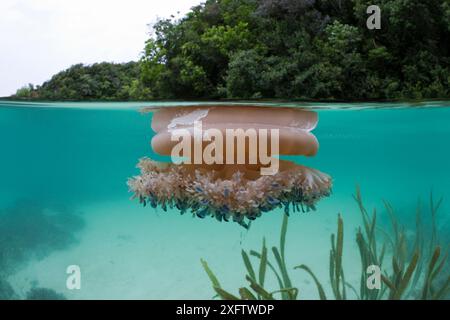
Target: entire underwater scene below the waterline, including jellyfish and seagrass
(358, 209)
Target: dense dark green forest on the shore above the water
(282, 49)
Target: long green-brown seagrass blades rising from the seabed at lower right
(419, 265)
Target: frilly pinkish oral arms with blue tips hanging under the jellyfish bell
(239, 199)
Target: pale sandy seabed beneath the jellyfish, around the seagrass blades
(128, 252)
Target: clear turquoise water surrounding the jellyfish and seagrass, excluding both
(64, 199)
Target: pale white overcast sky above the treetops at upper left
(38, 38)
